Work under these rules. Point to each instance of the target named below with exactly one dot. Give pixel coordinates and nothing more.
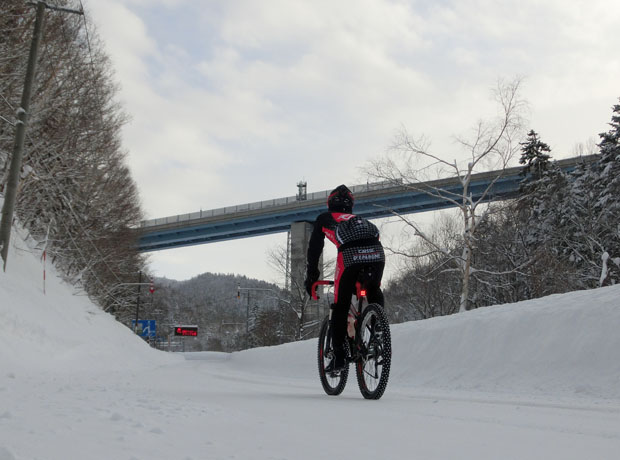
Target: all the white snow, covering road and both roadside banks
(533, 380)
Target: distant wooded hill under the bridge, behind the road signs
(225, 307)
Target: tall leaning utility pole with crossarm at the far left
(10, 195)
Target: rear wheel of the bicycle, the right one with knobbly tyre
(373, 366)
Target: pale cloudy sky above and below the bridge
(235, 101)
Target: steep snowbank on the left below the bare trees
(57, 329)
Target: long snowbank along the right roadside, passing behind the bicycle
(561, 345)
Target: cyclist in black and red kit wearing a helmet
(359, 253)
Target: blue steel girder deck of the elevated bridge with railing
(280, 215)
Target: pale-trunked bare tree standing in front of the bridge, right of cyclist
(411, 164)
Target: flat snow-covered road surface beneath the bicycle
(210, 408)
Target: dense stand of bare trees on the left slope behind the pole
(76, 195)
